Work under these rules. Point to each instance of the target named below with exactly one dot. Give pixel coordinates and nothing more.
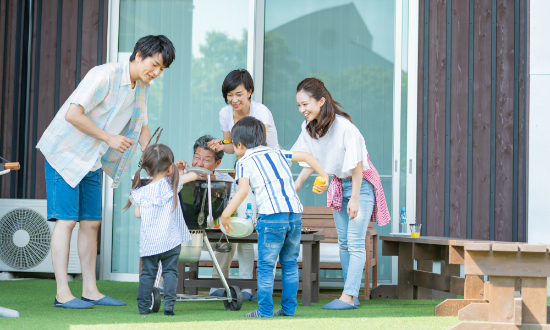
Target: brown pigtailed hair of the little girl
(157, 158)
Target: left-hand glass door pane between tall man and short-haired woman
(210, 38)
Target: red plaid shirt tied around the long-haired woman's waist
(380, 213)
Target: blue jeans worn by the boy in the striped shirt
(278, 236)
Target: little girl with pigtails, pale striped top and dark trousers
(162, 225)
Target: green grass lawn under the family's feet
(34, 301)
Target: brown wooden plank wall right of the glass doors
(472, 133)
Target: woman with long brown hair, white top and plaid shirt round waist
(355, 193)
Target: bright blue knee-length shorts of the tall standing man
(82, 202)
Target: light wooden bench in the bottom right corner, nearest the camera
(515, 296)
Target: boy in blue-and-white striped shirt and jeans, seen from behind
(279, 224)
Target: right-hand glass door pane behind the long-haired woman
(349, 45)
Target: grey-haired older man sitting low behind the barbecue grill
(204, 157)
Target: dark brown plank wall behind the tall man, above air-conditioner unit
(68, 38)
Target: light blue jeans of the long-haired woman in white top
(351, 235)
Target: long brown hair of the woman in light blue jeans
(316, 89)
